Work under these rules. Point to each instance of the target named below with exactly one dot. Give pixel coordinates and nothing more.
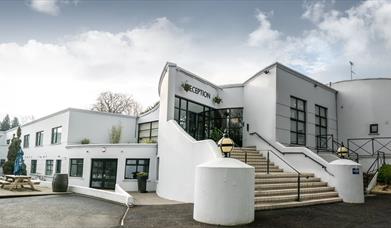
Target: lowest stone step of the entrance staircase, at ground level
(269, 206)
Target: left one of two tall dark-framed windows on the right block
(297, 121)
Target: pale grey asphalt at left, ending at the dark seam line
(69, 211)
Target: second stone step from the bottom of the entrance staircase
(293, 197)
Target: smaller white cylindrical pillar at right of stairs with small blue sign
(348, 180)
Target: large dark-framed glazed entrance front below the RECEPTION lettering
(203, 122)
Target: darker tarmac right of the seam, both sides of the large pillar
(374, 213)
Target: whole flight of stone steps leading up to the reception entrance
(278, 189)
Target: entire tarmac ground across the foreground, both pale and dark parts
(74, 210)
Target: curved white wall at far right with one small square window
(361, 103)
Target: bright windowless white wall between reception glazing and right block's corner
(260, 106)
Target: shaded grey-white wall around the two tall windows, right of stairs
(314, 93)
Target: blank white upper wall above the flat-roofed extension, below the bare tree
(96, 126)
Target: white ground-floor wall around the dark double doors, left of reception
(113, 151)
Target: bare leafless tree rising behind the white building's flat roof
(117, 103)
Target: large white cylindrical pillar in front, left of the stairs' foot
(224, 192)
